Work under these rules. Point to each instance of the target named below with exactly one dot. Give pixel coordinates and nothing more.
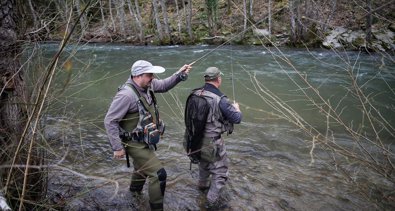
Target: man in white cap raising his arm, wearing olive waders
(134, 128)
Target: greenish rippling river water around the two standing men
(271, 164)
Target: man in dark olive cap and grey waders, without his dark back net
(221, 117)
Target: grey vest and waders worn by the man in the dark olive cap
(213, 165)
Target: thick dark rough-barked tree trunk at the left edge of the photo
(12, 93)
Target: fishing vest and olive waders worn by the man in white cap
(140, 132)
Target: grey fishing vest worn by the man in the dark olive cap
(216, 123)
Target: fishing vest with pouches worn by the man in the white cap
(145, 124)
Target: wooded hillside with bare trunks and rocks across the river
(331, 23)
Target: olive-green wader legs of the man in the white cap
(147, 165)
